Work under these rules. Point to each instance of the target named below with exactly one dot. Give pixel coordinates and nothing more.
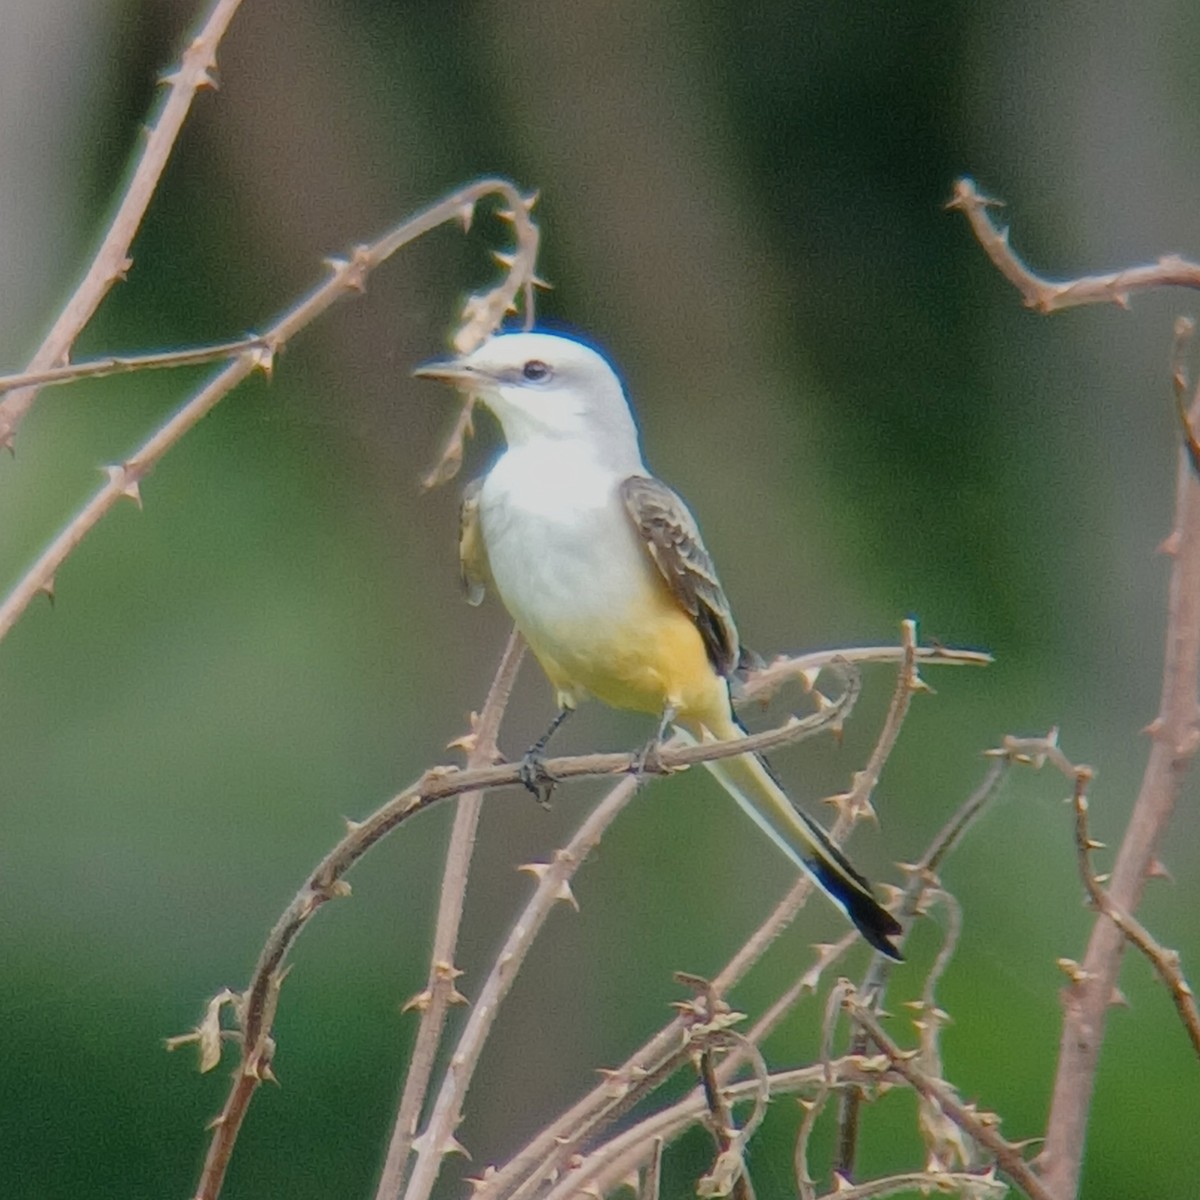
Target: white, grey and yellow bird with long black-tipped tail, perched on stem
(603, 569)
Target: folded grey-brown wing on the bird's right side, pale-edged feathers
(673, 541)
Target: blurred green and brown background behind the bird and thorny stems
(743, 202)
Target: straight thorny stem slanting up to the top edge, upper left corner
(112, 262)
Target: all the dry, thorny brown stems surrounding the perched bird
(581, 1151)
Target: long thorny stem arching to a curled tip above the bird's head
(349, 279)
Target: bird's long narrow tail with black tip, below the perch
(749, 781)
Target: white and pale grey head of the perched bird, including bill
(548, 387)
